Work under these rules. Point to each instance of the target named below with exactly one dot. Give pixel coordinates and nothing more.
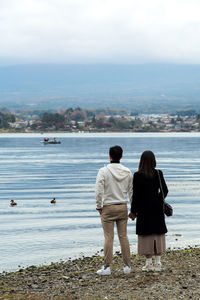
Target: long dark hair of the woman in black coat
(147, 163)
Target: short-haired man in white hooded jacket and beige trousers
(113, 185)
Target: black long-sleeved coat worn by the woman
(147, 203)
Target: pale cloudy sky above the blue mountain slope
(99, 31)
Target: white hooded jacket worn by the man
(113, 184)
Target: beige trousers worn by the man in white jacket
(110, 215)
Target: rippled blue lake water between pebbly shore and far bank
(37, 232)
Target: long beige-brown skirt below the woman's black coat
(151, 244)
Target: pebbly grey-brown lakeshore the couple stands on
(77, 279)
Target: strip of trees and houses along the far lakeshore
(97, 120)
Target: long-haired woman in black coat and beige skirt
(147, 207)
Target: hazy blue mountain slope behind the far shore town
(148, 88)
